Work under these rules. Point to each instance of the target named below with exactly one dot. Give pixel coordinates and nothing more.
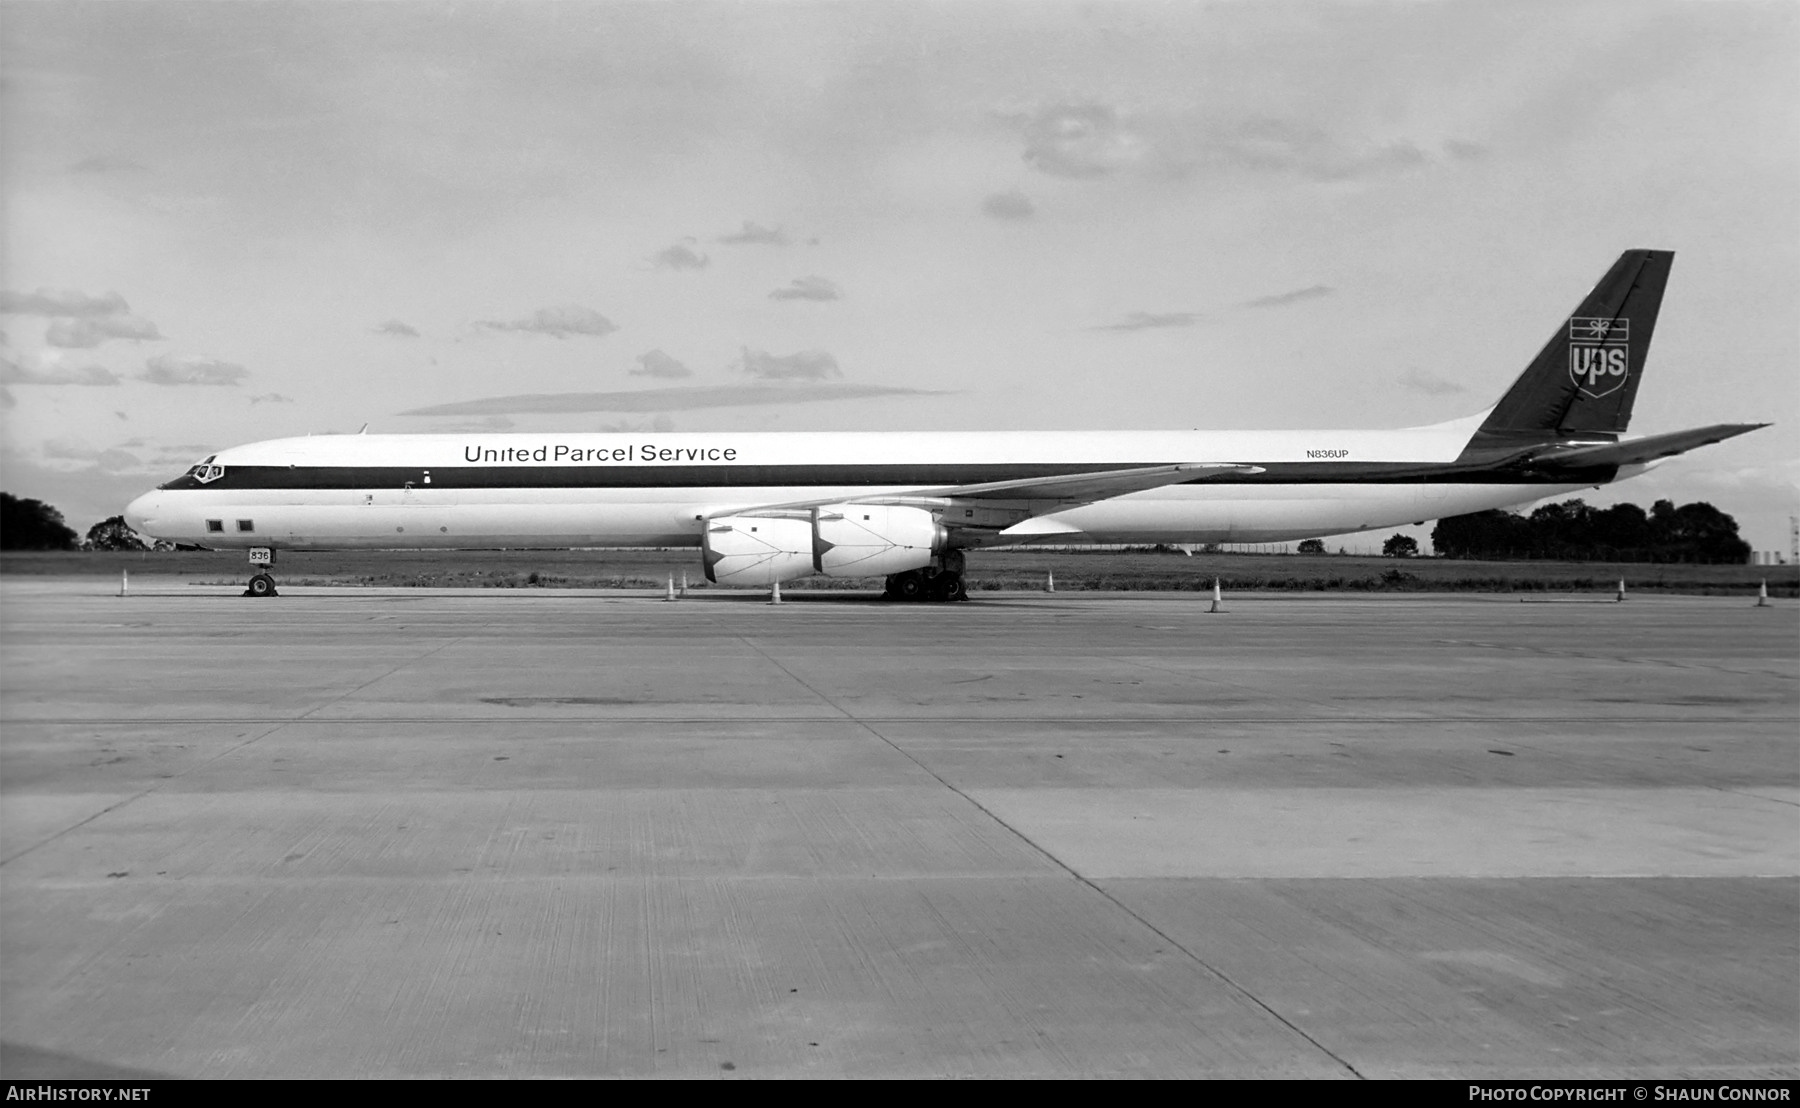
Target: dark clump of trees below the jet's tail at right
(1574, 532)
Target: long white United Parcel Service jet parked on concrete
(768, 508)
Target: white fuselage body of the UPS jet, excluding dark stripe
(658, 490)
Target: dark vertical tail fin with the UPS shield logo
(1587, 377)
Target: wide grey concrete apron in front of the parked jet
(561, 834)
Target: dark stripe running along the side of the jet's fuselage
(931, 474)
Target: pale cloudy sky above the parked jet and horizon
(233, 222)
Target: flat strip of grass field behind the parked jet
(1075, 571)
